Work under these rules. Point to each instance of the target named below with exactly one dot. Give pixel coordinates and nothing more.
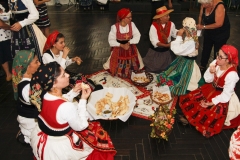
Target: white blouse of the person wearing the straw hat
(154, 36)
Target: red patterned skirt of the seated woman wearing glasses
(209, 121)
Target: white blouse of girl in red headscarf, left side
(47, 58)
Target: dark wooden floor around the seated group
(86, 35)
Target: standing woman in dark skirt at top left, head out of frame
(25, 34)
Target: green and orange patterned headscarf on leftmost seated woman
(20, 63)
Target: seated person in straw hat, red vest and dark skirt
(159, 56)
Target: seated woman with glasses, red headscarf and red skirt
(215, 106)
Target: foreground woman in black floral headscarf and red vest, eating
(63, 130)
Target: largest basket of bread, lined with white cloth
(111, 103)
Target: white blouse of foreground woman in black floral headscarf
(75, 115)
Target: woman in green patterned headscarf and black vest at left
(25, 64)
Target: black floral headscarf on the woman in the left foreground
(42, 81)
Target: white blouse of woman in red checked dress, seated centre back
(112, 37)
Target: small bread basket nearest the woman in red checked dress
(141, 78)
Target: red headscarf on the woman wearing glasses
(232, 53)
